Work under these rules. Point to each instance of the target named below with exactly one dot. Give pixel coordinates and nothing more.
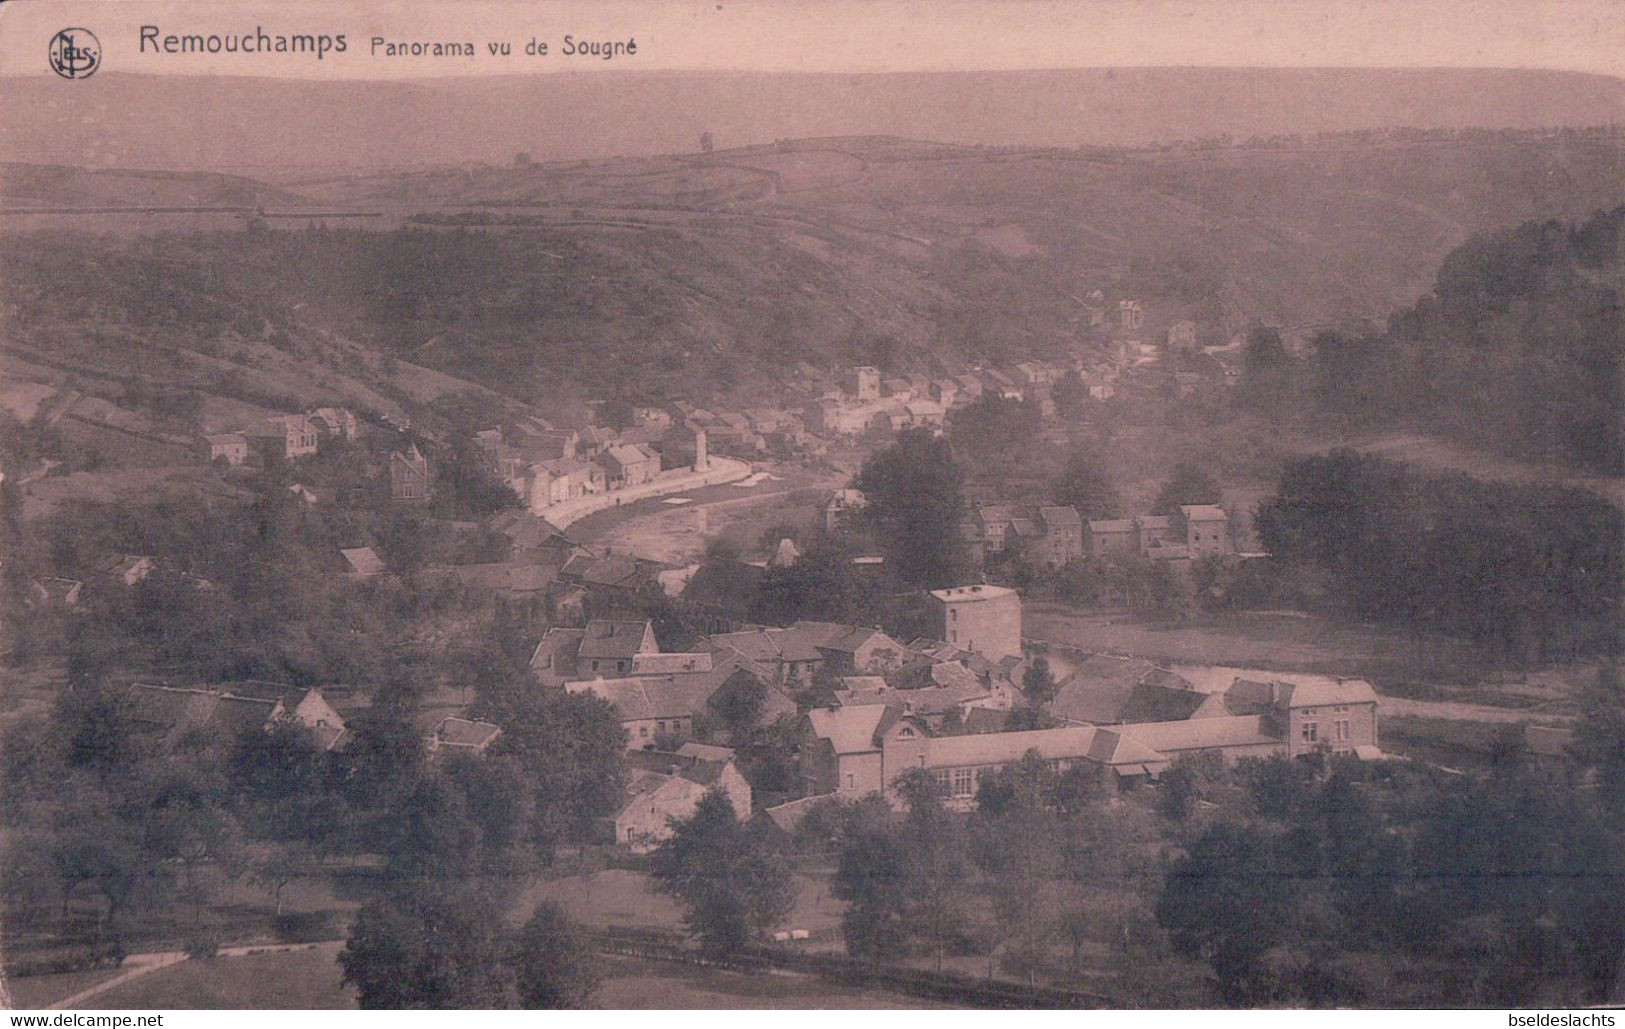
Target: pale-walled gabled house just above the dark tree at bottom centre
(667, 786)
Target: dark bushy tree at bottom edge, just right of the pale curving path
(430, 947)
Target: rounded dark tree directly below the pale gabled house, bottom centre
(729, 880)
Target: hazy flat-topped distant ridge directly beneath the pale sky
(267, 128)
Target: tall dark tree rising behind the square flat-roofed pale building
(916, 505)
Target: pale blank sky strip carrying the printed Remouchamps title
(846, 37)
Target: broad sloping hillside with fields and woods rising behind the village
(719, 272)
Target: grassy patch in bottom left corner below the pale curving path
(288, 979)
